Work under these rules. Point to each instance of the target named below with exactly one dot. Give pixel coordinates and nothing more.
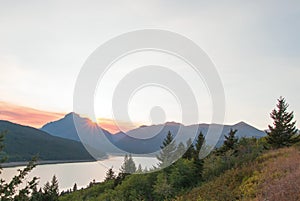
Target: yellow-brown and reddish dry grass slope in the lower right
(274, 175)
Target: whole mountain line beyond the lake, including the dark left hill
(65, 140)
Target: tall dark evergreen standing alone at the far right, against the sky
(283, 132)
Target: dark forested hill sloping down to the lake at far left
(24, 142)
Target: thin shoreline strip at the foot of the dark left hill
(47, 162)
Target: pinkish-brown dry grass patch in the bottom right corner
(280, 176)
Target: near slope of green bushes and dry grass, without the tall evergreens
(247, 173)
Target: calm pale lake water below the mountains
(80, 173)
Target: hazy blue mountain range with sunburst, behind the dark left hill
(142, 140)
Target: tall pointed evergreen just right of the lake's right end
(166, 156)
